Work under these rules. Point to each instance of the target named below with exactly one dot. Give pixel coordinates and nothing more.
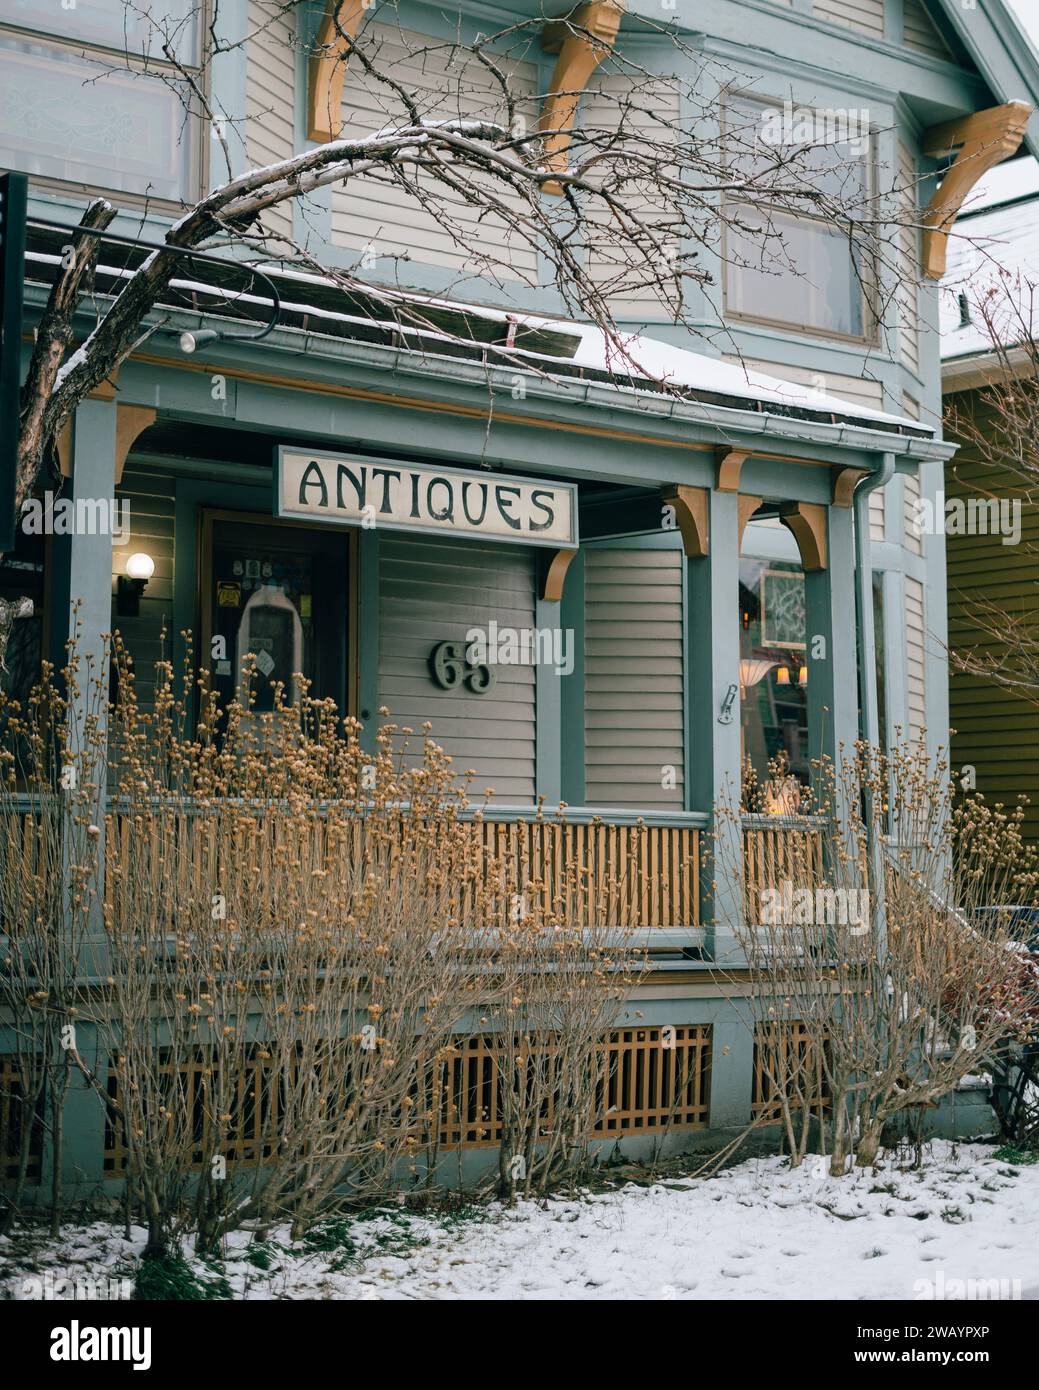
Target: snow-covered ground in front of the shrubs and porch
(757, 1231)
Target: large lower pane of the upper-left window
(124, 133)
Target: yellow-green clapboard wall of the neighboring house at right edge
(997, 730)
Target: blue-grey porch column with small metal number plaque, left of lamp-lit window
(713, 692)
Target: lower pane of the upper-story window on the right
(802, 275)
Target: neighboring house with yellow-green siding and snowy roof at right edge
(994, 558)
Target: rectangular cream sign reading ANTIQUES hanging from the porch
(403, 497)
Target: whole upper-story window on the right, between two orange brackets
(806, 265)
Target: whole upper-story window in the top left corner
(90, 99)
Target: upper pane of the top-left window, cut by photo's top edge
(112, 24)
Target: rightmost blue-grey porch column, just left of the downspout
(832, 650)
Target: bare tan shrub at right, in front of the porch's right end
(871, 932)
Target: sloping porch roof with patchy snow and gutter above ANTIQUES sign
(415, 334)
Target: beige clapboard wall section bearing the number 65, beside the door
(433, 591)
